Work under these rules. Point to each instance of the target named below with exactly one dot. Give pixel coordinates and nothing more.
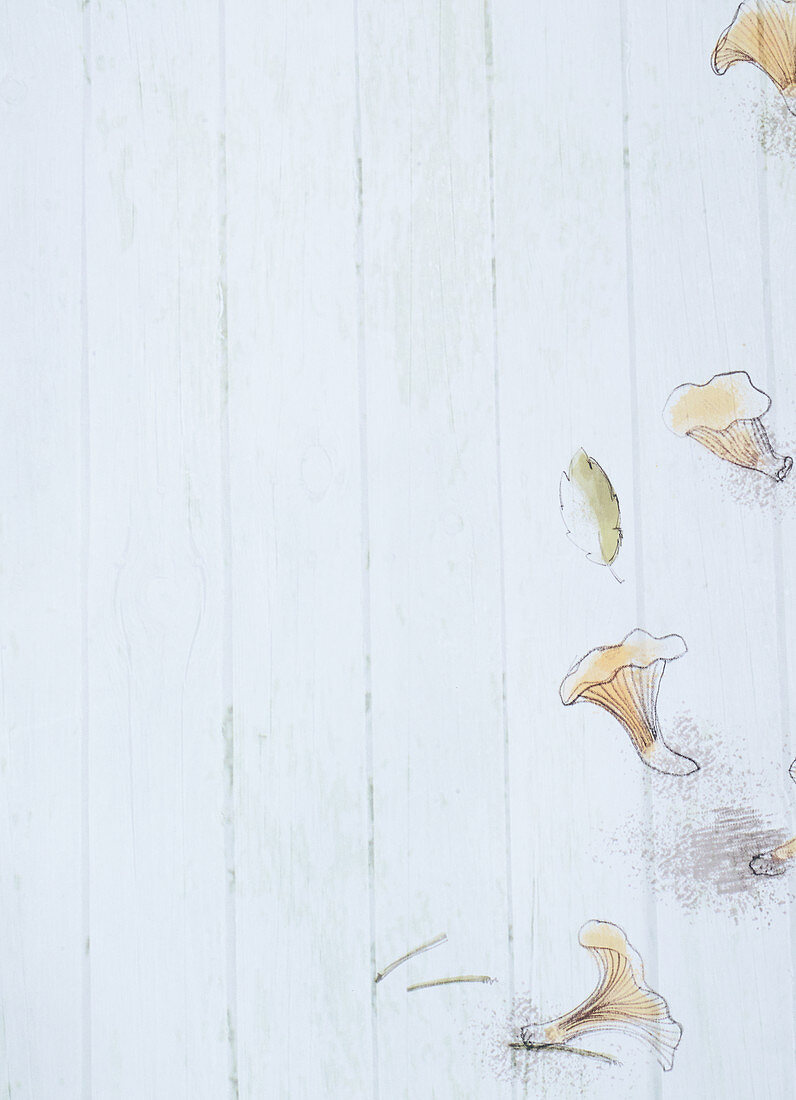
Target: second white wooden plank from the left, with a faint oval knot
(158, 911)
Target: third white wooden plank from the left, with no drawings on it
(302, 785)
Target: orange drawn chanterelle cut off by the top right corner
(764, 32)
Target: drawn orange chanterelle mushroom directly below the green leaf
(625, 680)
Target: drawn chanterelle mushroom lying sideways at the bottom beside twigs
(621, 1003)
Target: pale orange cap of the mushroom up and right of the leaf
(715, 404)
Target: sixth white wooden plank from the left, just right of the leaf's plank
(707, 543)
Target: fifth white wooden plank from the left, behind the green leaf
(566, 361)
